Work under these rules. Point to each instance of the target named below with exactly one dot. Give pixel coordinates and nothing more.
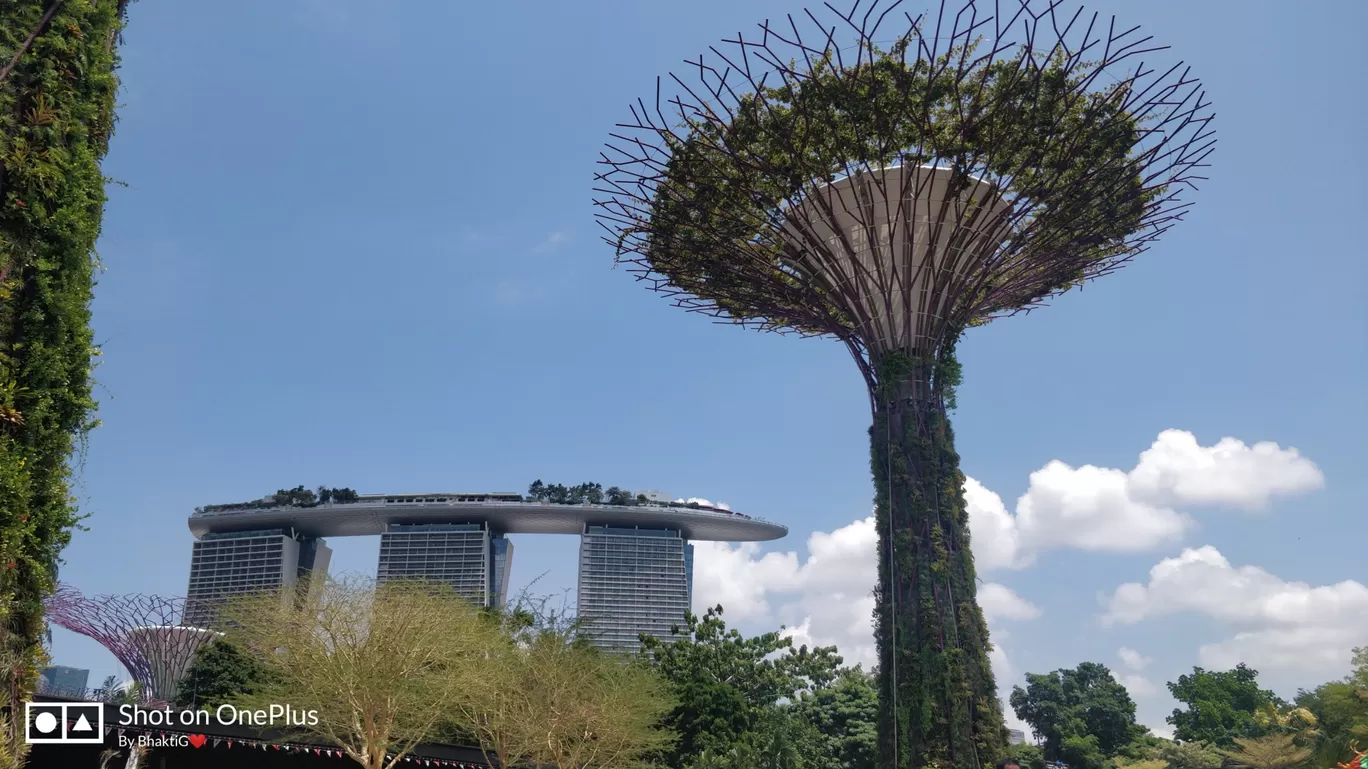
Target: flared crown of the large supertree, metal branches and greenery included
(891, 180)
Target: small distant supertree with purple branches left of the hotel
(142, 631)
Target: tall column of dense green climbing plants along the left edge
(57, 114)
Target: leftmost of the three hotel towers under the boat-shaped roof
(228, 564)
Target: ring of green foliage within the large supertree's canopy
(718, 217)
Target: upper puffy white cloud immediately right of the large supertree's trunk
(1109, 510)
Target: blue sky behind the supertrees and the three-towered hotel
(356, 248)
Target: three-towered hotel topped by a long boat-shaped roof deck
(637, 563)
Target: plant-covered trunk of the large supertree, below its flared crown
(939, 701)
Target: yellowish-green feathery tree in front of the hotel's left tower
(378, 664)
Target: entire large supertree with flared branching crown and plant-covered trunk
(832, 176)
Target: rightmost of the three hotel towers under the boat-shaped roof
(633, 582)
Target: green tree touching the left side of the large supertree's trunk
(846, 719)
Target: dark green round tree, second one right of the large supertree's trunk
(1220, 705)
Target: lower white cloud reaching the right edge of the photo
(1278, 625)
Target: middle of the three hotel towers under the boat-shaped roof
(467, 556)
